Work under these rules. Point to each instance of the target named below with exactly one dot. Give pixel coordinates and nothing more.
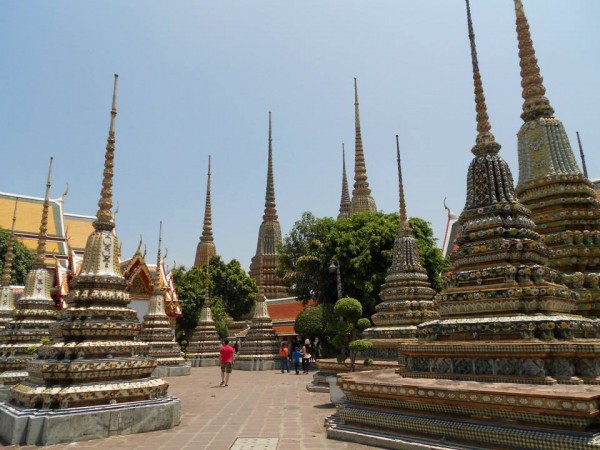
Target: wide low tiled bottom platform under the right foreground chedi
(455, 414)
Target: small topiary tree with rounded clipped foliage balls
(349, 310)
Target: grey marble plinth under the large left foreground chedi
(46, 427)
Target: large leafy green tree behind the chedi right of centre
(361, 246)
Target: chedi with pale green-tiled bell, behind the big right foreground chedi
(560, 197)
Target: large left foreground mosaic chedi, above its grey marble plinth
(94, 357)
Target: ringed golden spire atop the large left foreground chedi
(104, 216)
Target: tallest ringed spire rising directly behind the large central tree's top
(361, 194)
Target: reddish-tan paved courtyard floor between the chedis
(255, 405)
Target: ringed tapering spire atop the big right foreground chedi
(485, 141)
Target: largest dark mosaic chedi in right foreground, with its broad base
(509, 364)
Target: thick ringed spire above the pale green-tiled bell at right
(536, 104)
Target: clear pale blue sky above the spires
(199, 77)
